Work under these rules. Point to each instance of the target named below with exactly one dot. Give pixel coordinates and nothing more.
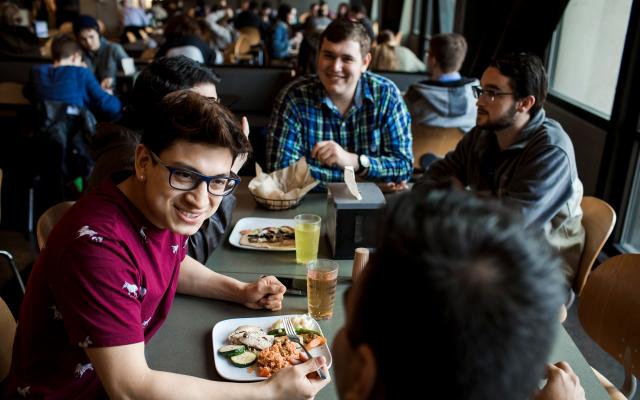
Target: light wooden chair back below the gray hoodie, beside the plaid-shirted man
(432, 139)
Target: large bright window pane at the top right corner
(586, 53)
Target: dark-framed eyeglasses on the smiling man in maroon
(184, 179)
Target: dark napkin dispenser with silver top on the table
(352, 223)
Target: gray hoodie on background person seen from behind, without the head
(443, 104)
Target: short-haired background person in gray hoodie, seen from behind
(445, 99)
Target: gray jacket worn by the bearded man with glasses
(536, 175)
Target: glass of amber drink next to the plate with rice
(322, 279)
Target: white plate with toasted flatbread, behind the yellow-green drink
(271, 234)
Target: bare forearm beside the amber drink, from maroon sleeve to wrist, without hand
(197, 280)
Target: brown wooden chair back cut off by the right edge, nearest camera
(609, 311)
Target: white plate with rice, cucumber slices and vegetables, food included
(236, 364)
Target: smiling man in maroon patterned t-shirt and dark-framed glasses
(112, 265)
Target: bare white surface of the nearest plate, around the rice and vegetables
(222, 330)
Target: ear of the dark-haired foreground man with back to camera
(363, 373)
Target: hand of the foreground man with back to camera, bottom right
(562, 384)
